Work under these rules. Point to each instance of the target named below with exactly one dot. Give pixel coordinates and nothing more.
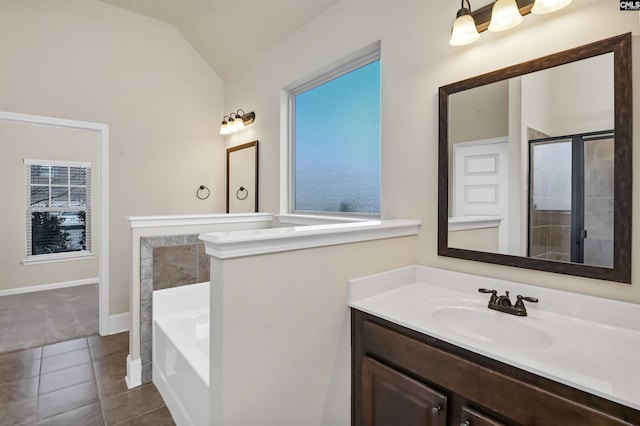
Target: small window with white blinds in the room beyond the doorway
(58, 210)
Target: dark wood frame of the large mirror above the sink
(621, 271)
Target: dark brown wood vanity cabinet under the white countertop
(402, 378)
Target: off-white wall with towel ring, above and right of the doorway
(86, 60)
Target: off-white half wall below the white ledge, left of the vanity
(280, 332)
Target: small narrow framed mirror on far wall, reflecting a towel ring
(242, 178)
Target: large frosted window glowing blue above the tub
(336, 140)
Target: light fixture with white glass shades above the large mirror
(499, 16)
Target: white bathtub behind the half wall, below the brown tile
(181, 351)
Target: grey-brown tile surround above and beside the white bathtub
(166, 262)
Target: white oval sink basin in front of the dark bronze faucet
(489, 326)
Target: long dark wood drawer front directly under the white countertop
(500, 394)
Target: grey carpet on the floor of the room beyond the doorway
(44, 317)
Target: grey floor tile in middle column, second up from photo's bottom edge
(67, 399)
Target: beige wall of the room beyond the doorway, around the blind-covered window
(19, 141)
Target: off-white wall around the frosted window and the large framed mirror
(416, 60)
